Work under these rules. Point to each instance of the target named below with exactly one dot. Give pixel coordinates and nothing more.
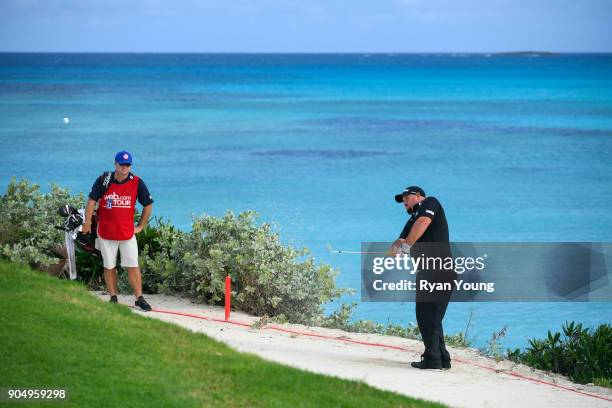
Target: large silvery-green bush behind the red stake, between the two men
(268, 278)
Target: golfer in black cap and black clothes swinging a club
(426, 233)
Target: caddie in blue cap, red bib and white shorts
(116, 194)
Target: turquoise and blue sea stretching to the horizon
(516, 148)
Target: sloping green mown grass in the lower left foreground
(56, 335)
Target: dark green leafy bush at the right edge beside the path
(581, 353)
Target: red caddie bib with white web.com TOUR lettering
(116, 210)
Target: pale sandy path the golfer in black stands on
(474, 381)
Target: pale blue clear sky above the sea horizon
(305, 25)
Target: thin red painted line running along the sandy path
(387, 346)
